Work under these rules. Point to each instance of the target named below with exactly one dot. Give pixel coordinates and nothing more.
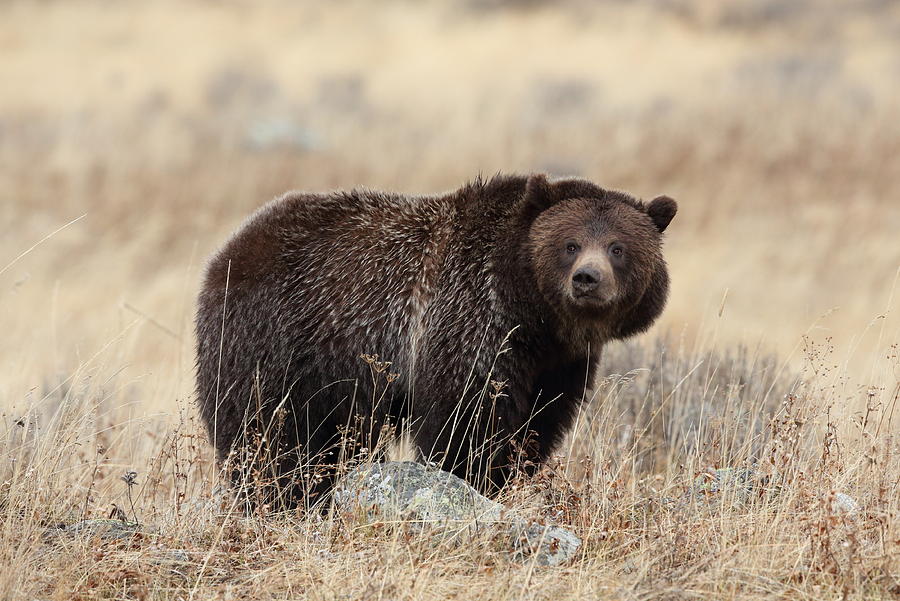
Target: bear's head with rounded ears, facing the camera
(596, 255)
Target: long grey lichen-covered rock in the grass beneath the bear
(429, 499)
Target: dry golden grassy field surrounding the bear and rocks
(133, 139)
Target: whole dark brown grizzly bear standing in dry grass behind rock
(471, 320)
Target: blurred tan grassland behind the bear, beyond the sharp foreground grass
(134, 137)
